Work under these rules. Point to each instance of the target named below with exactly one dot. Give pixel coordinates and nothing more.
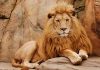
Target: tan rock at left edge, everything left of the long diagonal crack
(6, 8)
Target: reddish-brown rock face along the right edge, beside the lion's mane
(92, 23)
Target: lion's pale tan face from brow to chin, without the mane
(62, 24)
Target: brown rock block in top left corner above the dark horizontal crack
(6, 7)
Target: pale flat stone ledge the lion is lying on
(61, 63)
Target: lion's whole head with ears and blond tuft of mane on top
(60, 20)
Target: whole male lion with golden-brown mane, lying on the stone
(63, 36)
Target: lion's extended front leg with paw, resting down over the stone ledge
(73, 56)
